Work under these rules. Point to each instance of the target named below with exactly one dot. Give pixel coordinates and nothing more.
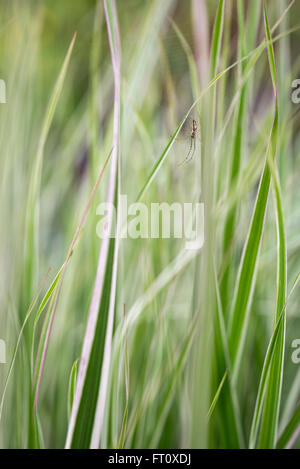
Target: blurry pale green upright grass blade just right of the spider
(203, 348)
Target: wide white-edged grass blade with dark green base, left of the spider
(87, 416)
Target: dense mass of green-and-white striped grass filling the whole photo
(201, 358)
